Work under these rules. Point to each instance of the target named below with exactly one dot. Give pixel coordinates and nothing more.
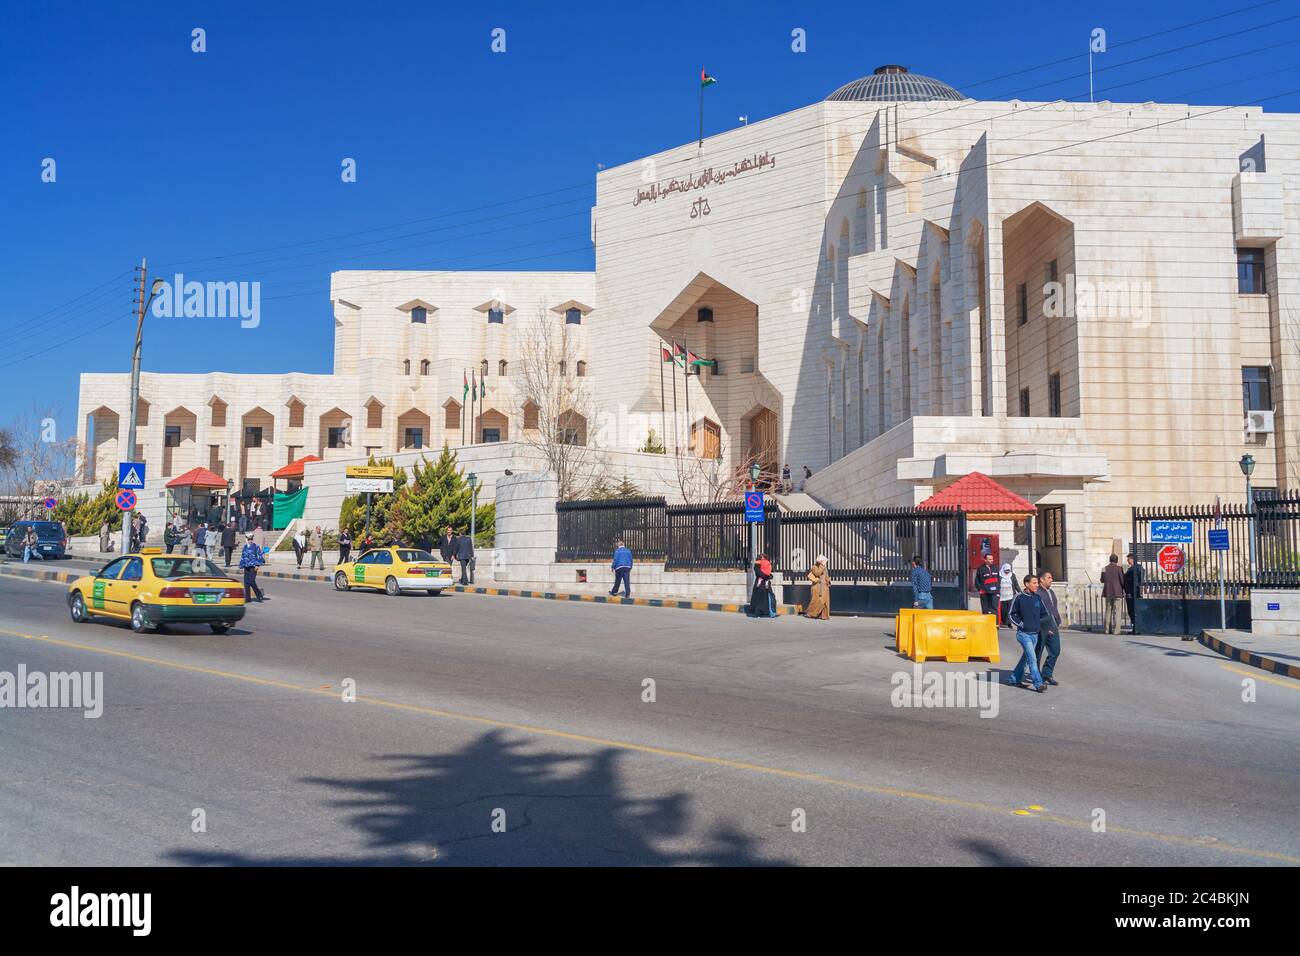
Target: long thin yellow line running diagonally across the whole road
(675, 755)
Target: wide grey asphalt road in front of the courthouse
(530, 715)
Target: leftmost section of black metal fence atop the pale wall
(588, 530)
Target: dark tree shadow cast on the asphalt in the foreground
(554, 808)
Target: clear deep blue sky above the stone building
(189, 157)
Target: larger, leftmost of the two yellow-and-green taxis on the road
(150, 589)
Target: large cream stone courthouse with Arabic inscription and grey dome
(1093, 304)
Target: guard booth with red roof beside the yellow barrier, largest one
(998, 521)
